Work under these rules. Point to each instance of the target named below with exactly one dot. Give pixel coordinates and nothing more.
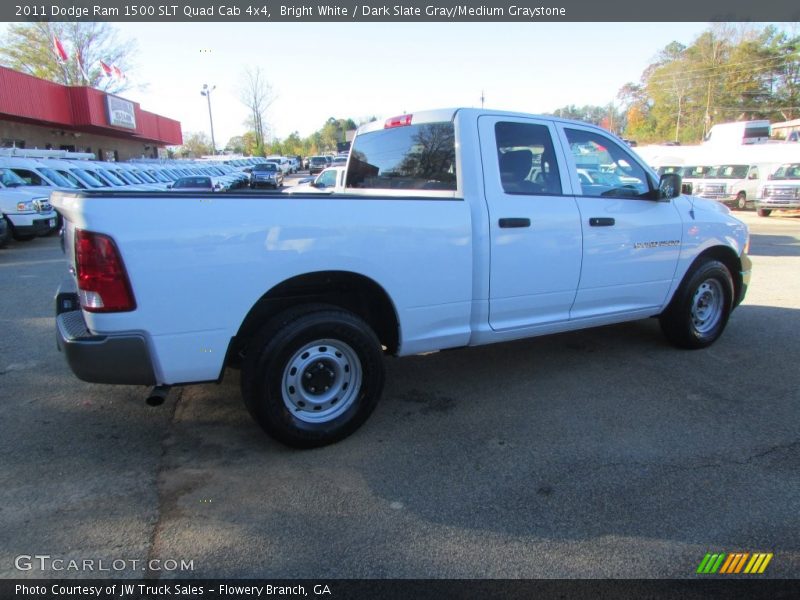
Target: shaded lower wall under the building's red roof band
(104, 147)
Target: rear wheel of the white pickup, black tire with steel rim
(307, 346)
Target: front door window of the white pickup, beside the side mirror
(604, 168)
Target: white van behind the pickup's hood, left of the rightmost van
(735, 185)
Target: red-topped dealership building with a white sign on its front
(35, 113)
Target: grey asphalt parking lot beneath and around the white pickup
(604, 453)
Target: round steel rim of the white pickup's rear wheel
(321, 381)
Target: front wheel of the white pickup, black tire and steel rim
(699, 311)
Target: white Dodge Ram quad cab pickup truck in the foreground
(457, 228)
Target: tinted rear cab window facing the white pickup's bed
(405, 156)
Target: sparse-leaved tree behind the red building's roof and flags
(29, 48)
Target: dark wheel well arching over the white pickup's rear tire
(349, 291)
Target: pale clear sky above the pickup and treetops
(360, 70)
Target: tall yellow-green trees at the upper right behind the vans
(729, 73)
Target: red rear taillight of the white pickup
(103, 284)
